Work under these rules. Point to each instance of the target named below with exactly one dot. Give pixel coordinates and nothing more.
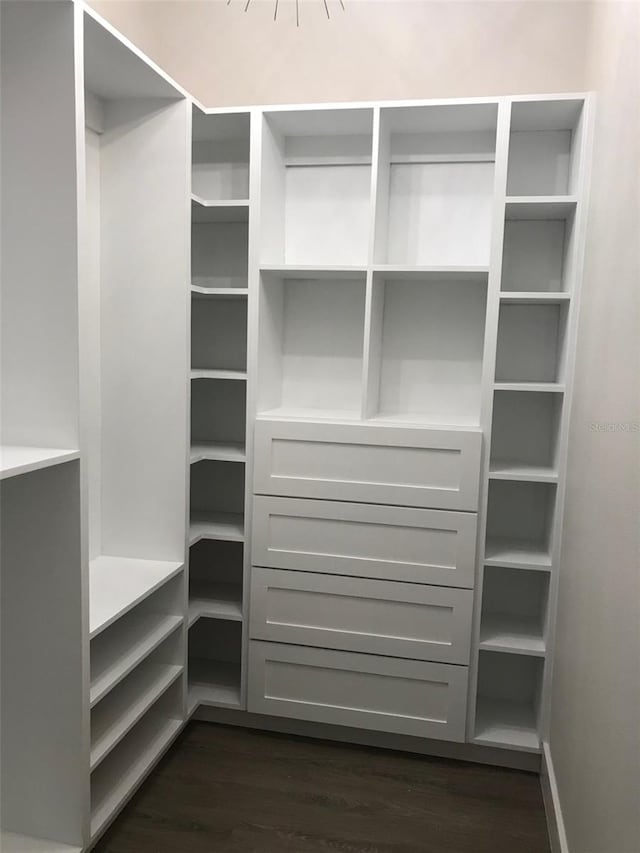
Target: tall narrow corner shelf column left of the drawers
(220, 180)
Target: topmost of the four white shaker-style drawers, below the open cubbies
(369, 464)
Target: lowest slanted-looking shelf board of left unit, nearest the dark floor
(127, 767)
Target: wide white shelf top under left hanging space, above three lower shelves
(116, 584)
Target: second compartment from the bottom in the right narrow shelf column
(514, 610)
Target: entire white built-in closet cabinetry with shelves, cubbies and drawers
(285, 399)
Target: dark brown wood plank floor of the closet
(228, 790)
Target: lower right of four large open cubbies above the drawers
(426, 348)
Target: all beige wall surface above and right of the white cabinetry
(378, 50)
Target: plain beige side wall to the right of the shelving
(595, 723)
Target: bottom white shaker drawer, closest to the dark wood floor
(350, 689)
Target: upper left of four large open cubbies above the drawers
(316, 186)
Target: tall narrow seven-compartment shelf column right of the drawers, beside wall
(543, 149)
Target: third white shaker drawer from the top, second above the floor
(361, 615)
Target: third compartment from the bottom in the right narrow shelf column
(519, 523)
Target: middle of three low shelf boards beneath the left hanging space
(135, 698)
